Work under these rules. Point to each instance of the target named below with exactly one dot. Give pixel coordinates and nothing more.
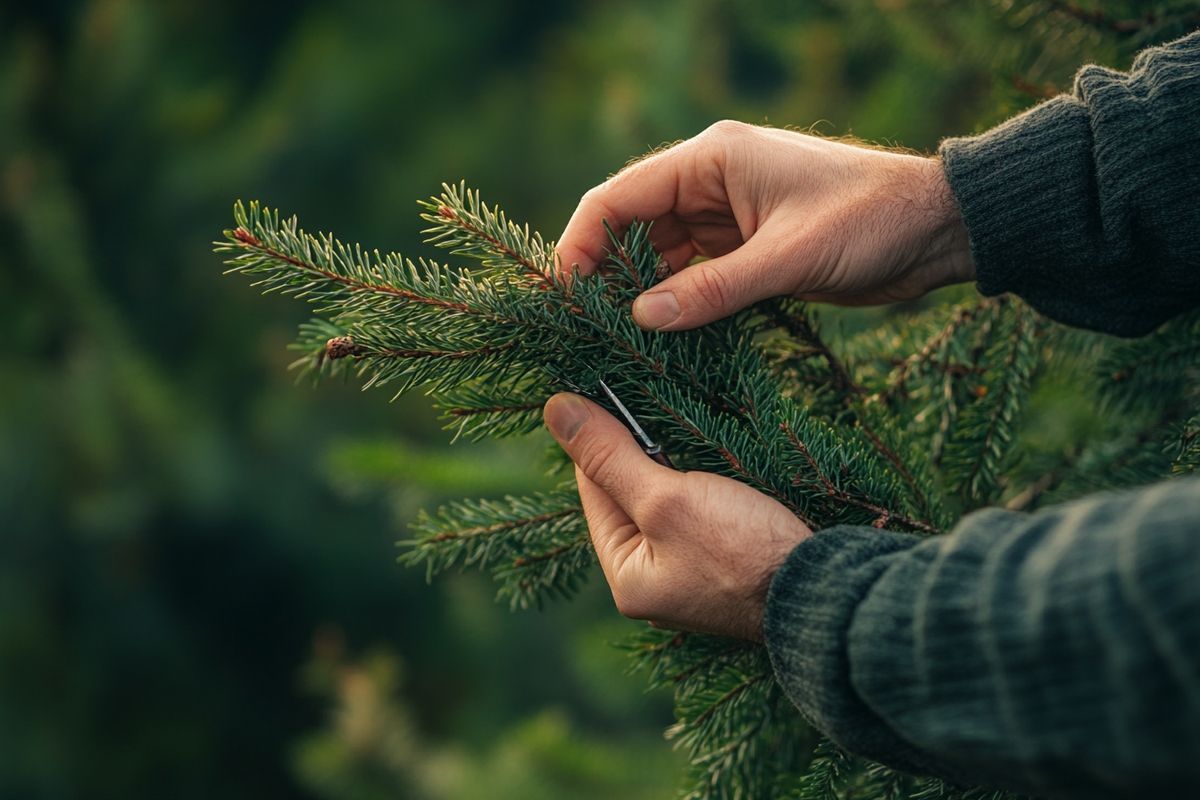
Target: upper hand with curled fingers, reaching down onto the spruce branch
(777, 213)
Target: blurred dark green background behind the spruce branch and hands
(199, 591)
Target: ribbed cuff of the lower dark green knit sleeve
(811, 607)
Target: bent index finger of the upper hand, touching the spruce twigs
(646, 190)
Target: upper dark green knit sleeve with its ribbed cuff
(1087, 206)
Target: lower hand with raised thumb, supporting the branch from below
(687, 551)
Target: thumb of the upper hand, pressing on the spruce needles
(711, 291)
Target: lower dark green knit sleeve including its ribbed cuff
(1055, 653)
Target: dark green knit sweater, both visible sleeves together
(1057, 653)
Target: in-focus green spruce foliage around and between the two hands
(836, 435)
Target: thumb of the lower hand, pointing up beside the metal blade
(604, 450)
